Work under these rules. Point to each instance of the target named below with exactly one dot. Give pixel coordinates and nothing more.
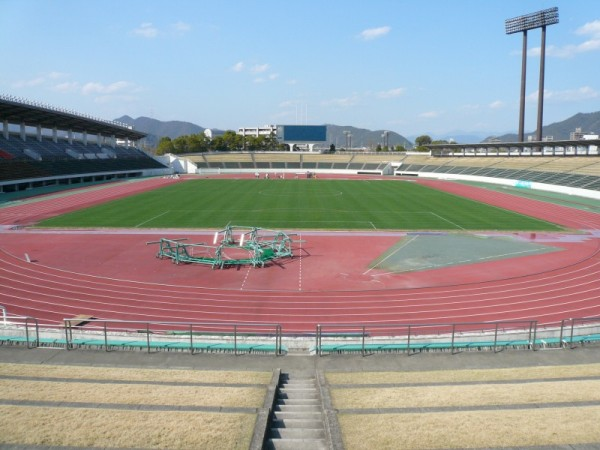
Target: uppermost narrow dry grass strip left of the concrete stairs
(128, 374)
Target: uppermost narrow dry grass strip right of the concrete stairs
(453, 376)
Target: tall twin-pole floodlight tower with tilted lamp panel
(538, 19)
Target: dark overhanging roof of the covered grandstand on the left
(19, 111)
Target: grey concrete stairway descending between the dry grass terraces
(297, 422)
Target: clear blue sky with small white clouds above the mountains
(433, 66)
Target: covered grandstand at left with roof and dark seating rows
(44, 146)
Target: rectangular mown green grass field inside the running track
(299, 204)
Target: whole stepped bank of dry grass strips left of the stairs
(112, 426)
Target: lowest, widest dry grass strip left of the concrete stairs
(124, 429)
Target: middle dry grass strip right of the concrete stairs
(467, 395)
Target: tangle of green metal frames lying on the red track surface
(254, 246)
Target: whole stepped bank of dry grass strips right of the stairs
(479, 408)
